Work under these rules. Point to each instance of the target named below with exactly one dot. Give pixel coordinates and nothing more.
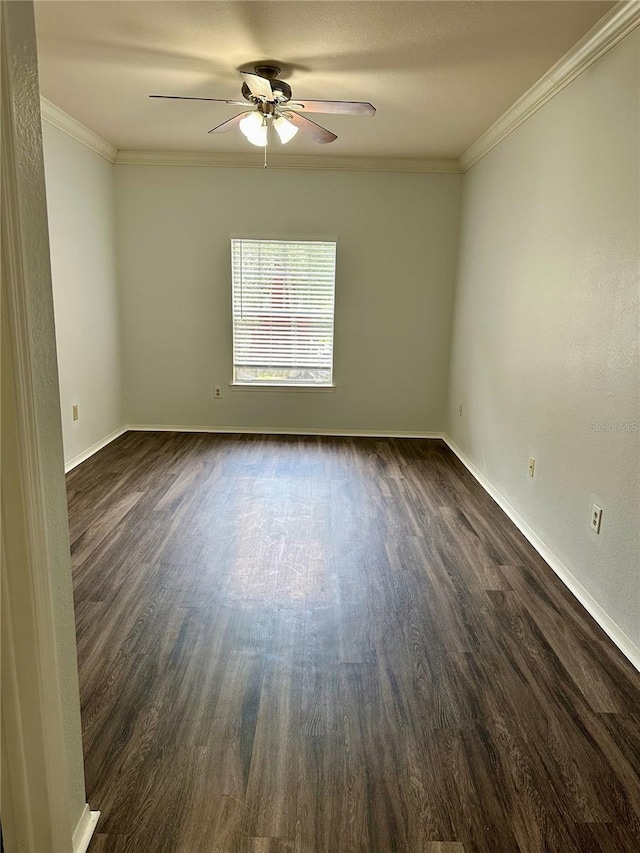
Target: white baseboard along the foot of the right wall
(611, 628)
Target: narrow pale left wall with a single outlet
(81, 205)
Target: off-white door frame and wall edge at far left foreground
(43, 794)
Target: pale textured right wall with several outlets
(546, 327)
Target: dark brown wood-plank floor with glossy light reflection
(304, 644)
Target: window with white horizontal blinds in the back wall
(283, 306)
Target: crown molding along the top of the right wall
(607, 32)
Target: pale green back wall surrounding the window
(396, 255)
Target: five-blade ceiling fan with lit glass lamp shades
(272, 106)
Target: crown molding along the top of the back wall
(283, 161)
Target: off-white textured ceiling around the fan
(439, 73)
